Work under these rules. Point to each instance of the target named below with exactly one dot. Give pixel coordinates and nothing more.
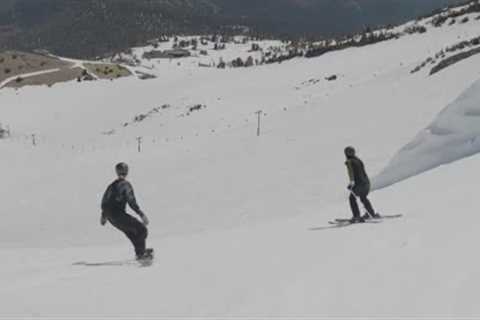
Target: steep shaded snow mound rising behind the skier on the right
(453, 135)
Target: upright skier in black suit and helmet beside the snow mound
(359, 186)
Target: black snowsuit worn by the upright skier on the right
(361, 189)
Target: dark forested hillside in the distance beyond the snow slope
(91, 28)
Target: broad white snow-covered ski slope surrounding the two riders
(240, 222)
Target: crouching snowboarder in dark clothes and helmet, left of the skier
(115, 199)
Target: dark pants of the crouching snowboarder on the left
(133, 229)
